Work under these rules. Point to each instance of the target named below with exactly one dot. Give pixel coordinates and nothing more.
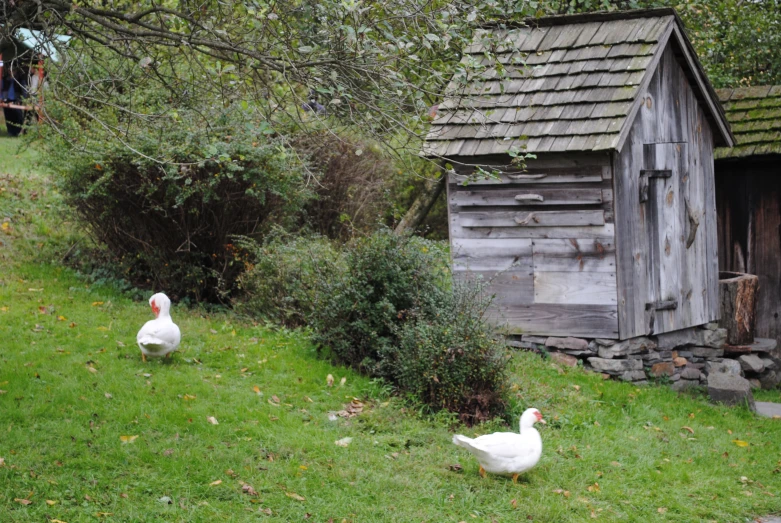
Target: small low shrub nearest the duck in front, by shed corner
(451, 359)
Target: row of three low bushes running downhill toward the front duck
(385, 305)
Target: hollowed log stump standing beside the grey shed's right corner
(738, 298)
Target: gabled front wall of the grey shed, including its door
(666, 246)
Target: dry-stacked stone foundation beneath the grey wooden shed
(685, 358)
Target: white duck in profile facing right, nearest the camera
(507, 453)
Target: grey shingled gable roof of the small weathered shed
(569, 83)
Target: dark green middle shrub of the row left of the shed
(358, 312)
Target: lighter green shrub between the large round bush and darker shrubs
(281, 284)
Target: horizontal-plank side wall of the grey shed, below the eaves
(543, 242)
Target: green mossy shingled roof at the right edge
(755, 116)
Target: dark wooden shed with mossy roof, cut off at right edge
(748, 197)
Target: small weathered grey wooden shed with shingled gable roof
(611, 231)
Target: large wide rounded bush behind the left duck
(169, 224)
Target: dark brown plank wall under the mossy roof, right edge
(748, 194)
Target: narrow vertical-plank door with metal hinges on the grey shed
(665, 199)
